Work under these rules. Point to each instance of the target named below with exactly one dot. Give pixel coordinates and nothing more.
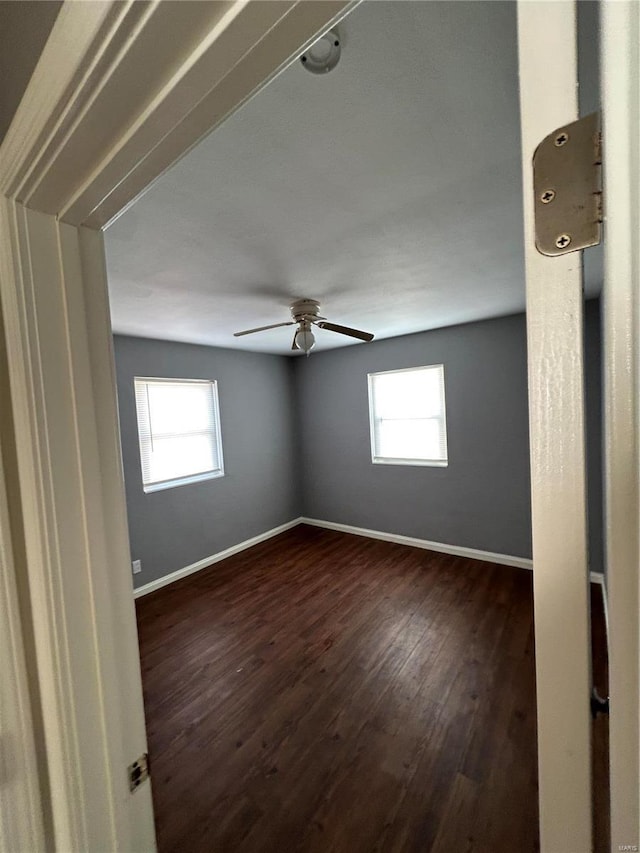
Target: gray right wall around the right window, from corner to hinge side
(481, 500)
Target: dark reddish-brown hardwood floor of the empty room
(325, 692)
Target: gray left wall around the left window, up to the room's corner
(175, 527)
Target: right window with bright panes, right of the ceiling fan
(407, 413)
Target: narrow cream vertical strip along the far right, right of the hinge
(620, 64)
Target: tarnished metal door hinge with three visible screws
(567, 185)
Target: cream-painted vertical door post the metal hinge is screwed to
(548, 100)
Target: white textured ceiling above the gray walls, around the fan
(388, 189)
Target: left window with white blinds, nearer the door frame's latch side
(179, 430)
